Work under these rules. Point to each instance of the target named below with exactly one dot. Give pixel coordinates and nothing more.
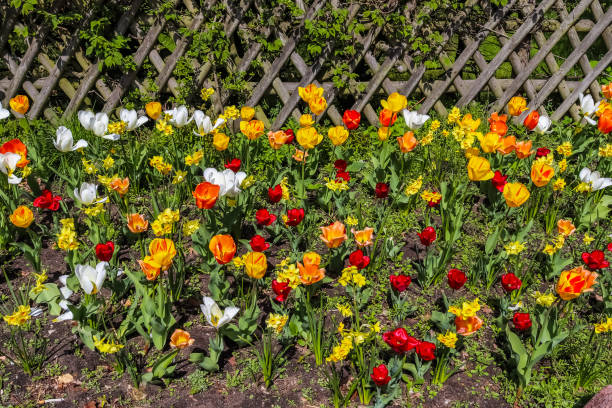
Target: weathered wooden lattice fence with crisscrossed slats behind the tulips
(84, 83)
